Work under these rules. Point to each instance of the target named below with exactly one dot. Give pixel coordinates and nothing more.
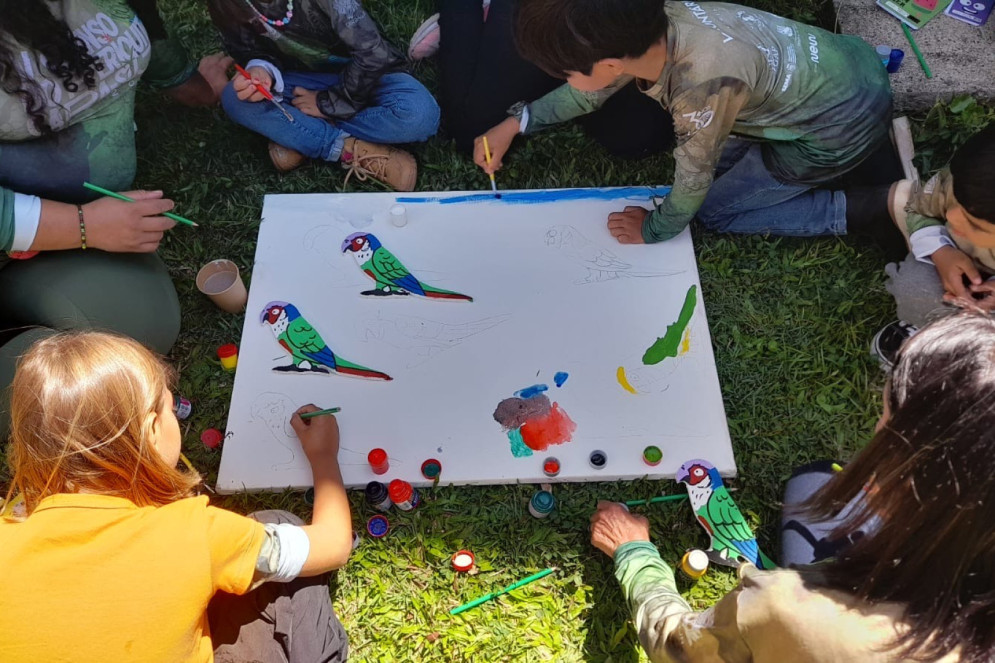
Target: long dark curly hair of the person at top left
(30, 24)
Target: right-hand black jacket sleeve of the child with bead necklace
(370, 57)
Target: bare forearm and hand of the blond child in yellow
(330, 531)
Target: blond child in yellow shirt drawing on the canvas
(116, 560)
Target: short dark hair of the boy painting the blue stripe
(562, 36)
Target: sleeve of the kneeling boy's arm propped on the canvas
(703, 118)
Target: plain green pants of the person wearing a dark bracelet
(130, 294)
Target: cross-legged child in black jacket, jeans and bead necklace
(340, 81)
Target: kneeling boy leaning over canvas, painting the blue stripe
(766, 110)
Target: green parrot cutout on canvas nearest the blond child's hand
(305, 345)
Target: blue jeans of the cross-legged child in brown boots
(401, 111)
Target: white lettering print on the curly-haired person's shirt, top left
(122, 52)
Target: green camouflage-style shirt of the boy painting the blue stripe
(819, 101)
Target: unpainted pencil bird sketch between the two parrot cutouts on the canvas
(420, 337)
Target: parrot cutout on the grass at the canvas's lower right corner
(732, 539)
